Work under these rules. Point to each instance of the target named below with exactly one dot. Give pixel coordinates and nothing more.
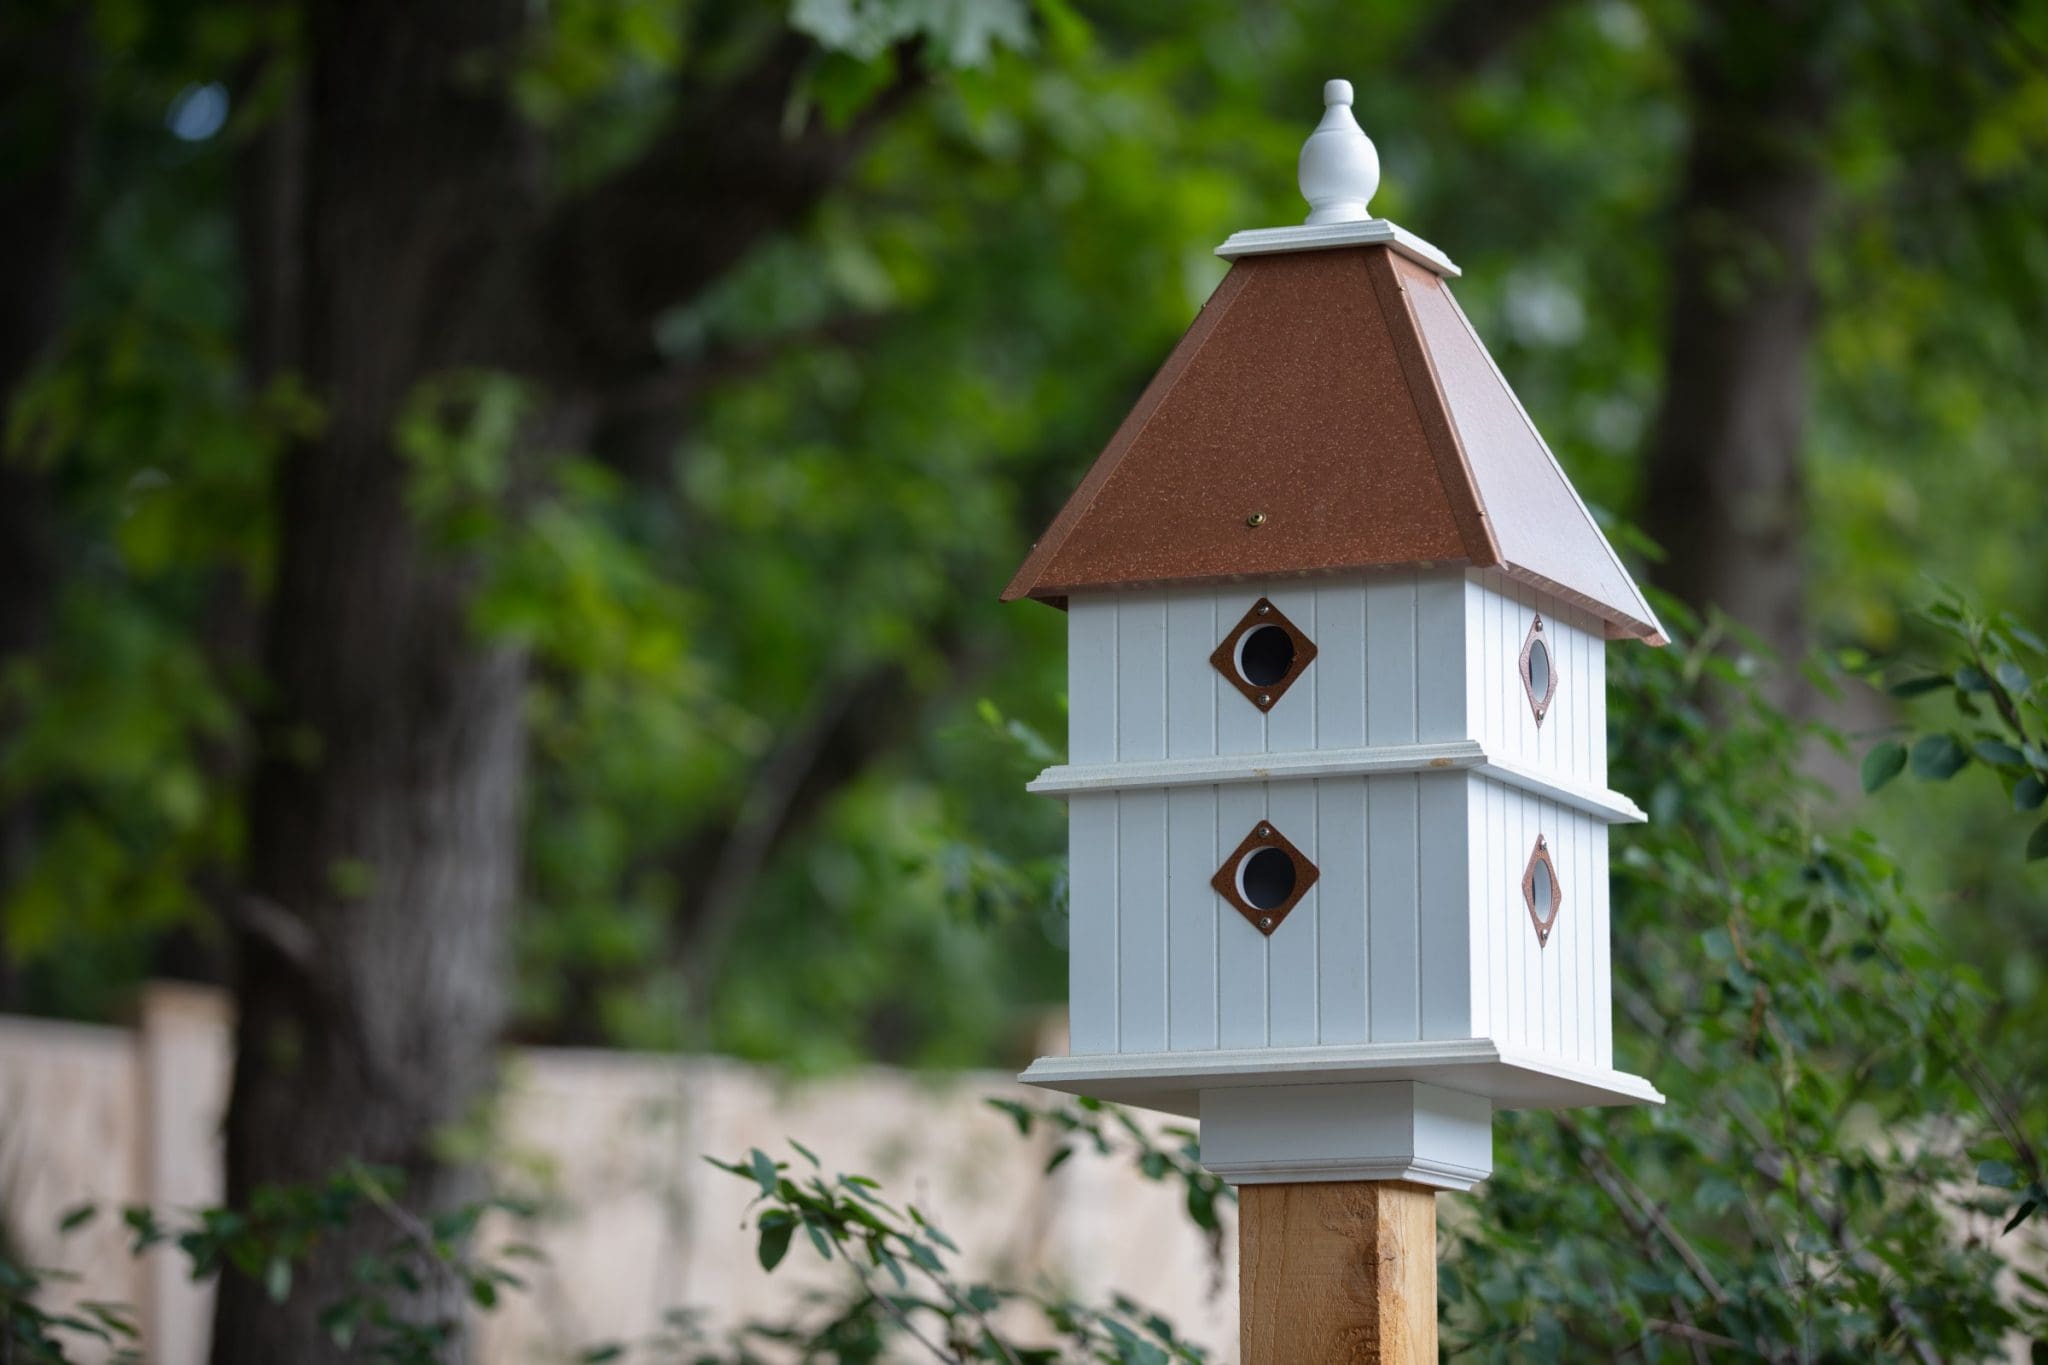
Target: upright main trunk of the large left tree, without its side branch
(384, 818)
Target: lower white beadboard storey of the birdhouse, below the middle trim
(1416, 926)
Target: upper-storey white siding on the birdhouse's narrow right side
(1574, 736)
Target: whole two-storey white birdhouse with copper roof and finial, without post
(1336, 764)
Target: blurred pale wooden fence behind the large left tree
(636, 1221)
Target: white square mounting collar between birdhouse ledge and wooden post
(1390, 1131)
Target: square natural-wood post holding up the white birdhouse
(1338, 1272)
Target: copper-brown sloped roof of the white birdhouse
(1330, 410)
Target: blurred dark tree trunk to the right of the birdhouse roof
(1725, 494)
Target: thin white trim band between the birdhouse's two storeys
(1445, 756)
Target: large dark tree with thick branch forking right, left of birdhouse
(435, 285)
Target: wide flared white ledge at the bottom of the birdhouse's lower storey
(1175, 1082)
